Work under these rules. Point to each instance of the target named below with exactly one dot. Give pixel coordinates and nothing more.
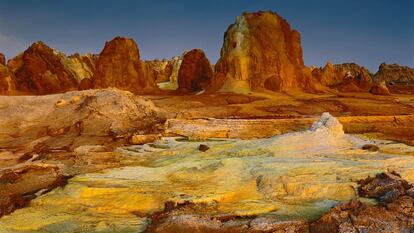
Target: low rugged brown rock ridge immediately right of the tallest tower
(347, 77)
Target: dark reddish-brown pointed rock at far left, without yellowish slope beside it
(39, 70)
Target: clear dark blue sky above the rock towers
(367, 32)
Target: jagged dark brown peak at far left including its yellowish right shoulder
(43, 70)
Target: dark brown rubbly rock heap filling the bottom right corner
(394, 213)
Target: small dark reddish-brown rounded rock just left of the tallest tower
(195, 72)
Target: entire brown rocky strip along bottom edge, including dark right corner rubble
(394, 213)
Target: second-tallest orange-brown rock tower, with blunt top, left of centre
(119, 66)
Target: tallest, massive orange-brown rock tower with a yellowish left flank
(261, 51)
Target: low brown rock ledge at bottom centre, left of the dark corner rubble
(189, 217)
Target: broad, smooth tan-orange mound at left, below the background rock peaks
(96, 116)
